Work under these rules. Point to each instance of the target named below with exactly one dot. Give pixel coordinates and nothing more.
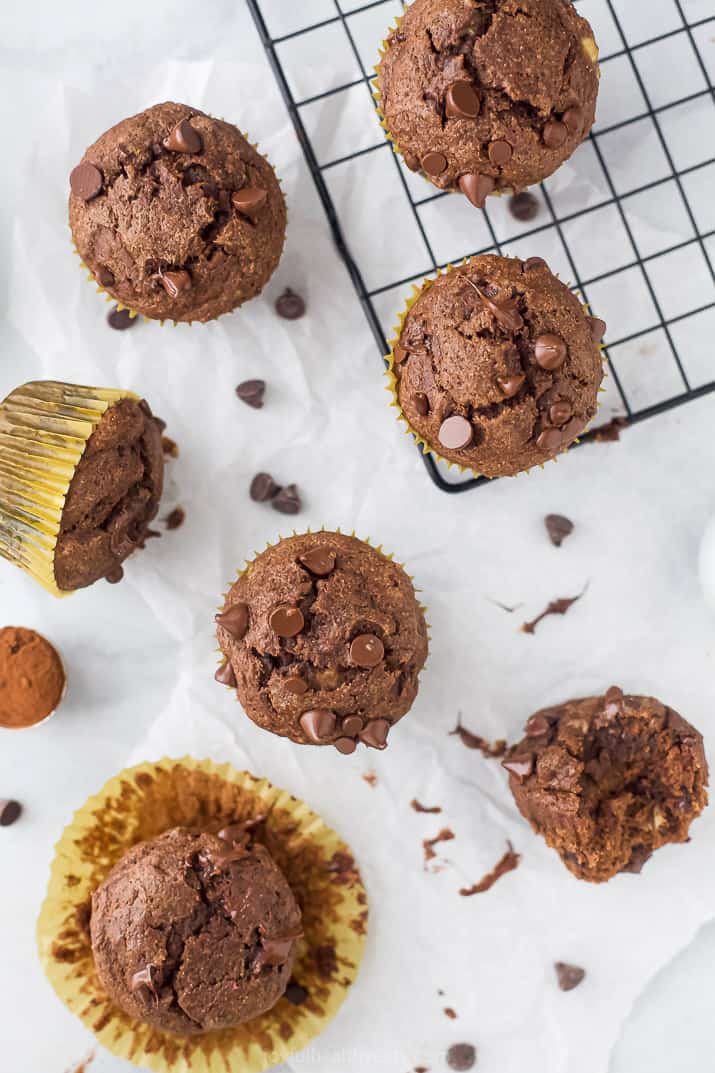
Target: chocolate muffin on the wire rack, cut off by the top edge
(484, 96)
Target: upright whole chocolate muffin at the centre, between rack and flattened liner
(324, 640)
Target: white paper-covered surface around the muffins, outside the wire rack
(140, 656)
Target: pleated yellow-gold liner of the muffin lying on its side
(45, 429)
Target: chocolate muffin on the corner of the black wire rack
(498, 366)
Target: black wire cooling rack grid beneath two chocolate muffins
(658, 276)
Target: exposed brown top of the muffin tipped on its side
(113, 496)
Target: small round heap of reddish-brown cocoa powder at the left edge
(32, 678)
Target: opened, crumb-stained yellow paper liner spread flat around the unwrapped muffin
(140, 804)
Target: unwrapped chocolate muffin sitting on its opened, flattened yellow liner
(194, 933)
